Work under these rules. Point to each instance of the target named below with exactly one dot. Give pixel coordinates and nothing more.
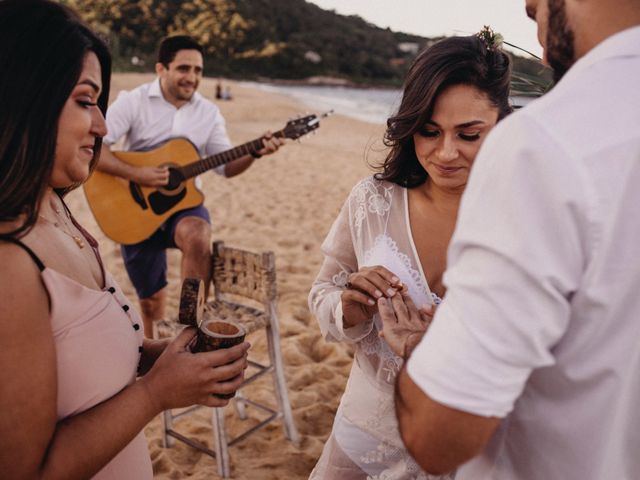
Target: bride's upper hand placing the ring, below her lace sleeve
(364, 288)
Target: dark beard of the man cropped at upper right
(560, 40)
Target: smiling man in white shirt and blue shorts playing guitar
(148, 116)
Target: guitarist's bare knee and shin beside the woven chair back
(193, 238)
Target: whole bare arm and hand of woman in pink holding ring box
(33, 443)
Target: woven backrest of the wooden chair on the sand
(244, 274)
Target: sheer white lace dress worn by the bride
(372, 229)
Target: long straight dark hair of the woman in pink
(43, 49)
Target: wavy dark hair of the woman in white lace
(452, 61)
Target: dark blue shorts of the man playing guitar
(146, 262)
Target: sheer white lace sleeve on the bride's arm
(340, 260)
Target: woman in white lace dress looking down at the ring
(391, 236)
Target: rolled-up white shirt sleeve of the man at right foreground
(517, 254)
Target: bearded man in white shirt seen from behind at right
(531, 367)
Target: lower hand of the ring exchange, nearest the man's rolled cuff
(403, 324)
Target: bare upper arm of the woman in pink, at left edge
(27, 366)
